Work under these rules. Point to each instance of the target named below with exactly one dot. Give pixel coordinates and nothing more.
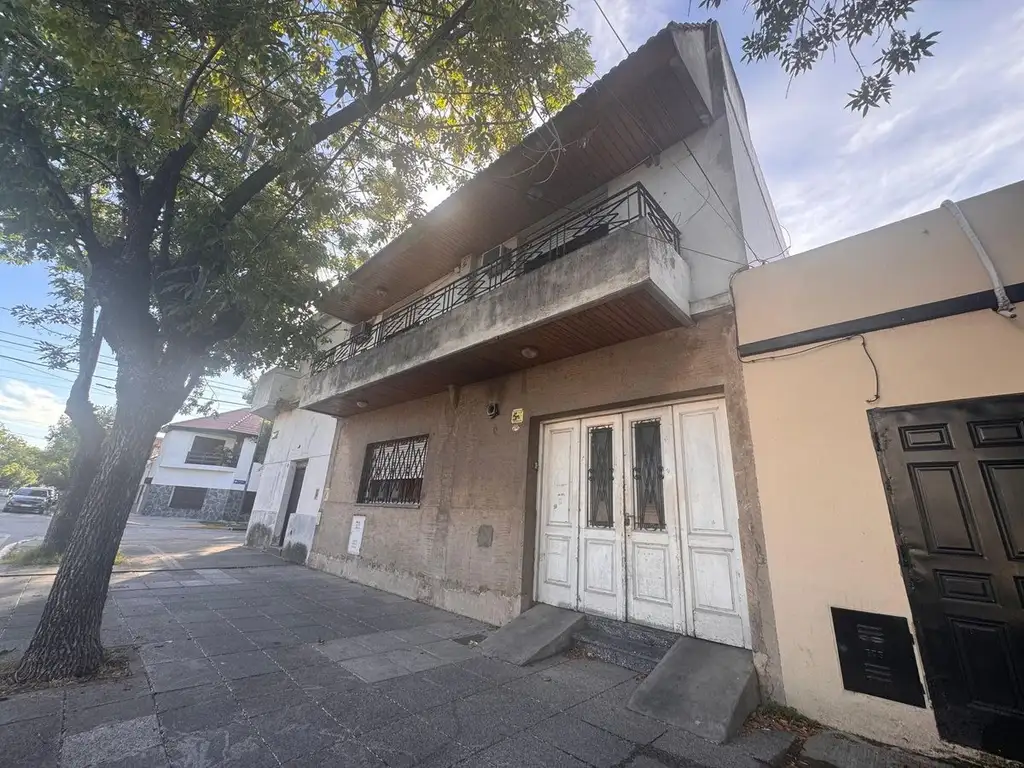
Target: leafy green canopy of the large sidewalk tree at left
(277, 189)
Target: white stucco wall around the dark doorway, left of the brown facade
(296, 436)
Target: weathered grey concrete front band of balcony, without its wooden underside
(631, 259)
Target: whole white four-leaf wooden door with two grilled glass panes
(638, 521)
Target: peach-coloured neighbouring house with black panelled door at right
(887, 415)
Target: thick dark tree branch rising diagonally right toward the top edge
(403, 84)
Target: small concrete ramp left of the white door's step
(535, 634)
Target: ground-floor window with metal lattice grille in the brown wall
(393, 472)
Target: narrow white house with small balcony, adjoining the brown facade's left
(295, 470)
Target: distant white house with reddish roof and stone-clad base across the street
(203, 468)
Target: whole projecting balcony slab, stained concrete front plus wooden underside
(626, 286)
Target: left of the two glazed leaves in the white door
(603, 587)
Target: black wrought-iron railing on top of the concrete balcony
(552, 243)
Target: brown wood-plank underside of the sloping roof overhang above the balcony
(617, 123)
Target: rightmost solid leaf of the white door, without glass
(714, 582)
